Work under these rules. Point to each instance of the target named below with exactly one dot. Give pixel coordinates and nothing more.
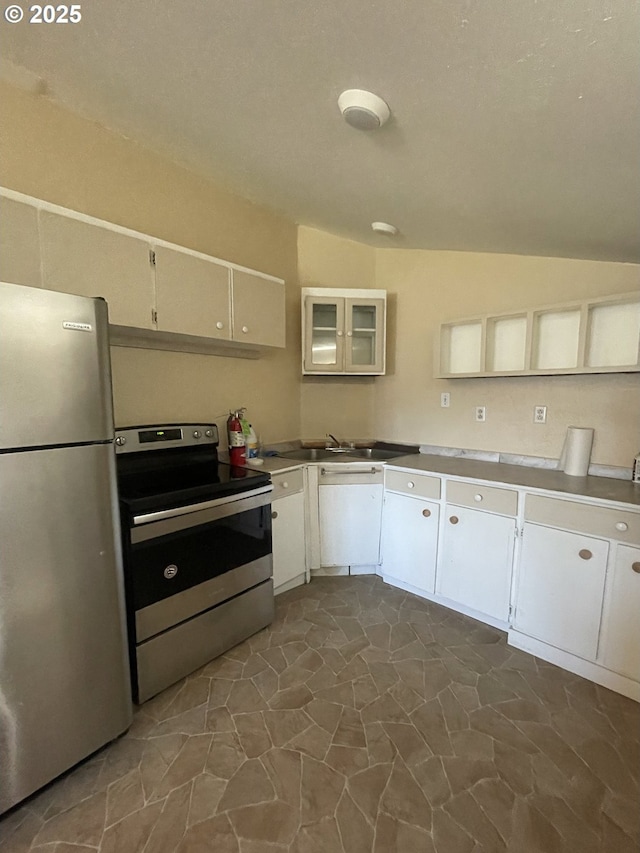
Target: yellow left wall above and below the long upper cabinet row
(52, 154)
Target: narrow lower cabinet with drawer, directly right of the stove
(288, 530)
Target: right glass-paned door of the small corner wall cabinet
(364, 336)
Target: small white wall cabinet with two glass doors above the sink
(343, 331)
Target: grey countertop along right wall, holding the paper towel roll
(598, 488)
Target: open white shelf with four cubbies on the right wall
(593, 336)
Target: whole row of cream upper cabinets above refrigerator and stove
(160, 295)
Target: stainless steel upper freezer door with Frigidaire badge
(55, 382)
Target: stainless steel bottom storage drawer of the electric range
(165, 659)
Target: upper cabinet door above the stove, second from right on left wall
(193, 295)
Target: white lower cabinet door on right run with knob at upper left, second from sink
(476, 560)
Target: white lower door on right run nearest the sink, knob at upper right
(410, 541)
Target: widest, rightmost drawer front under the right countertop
(594, 520)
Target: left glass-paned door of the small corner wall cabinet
(325, 335)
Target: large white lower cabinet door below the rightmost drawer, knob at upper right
(561, 587)
